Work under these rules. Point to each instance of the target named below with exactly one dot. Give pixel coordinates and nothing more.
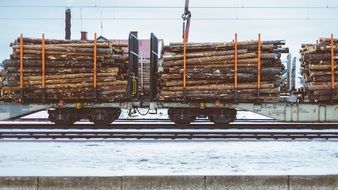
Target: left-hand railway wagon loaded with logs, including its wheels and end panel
(73, 79)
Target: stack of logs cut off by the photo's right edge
(317, 71)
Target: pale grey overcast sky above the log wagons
(296, 21)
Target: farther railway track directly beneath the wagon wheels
(166, 124)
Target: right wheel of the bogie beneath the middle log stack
(222, 117)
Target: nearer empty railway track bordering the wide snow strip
(168, 135)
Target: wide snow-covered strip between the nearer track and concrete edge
(168, 158)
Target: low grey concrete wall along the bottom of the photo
(172, 183)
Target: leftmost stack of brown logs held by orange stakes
(69, 71)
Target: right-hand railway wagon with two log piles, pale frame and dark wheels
(199, 94)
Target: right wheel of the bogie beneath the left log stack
(104, 117)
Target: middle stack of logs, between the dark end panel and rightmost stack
(210, 71)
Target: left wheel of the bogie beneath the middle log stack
(181, 117)
